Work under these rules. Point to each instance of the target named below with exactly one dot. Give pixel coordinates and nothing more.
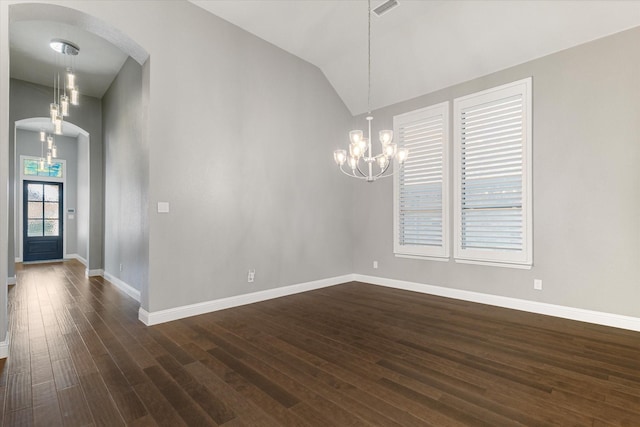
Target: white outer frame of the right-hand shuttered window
(515, 259)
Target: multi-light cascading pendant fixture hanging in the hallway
(63, 96)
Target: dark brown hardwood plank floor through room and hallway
(349, 355)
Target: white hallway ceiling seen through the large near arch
(34, 61)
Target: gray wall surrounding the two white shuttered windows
(586, 200)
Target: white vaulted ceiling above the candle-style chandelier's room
(422, 45)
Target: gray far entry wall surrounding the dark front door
(28, 144)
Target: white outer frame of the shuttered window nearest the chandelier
(428, 252)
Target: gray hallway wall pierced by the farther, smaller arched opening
(29, 100)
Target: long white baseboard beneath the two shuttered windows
(589, 316)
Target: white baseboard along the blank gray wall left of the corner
(161, 316)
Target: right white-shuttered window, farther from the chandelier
(492, 151)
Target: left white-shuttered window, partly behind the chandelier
(421, 199)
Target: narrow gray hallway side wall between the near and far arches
(126, 179)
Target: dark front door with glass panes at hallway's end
(42, 221)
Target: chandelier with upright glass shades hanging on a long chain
(360, 159)
